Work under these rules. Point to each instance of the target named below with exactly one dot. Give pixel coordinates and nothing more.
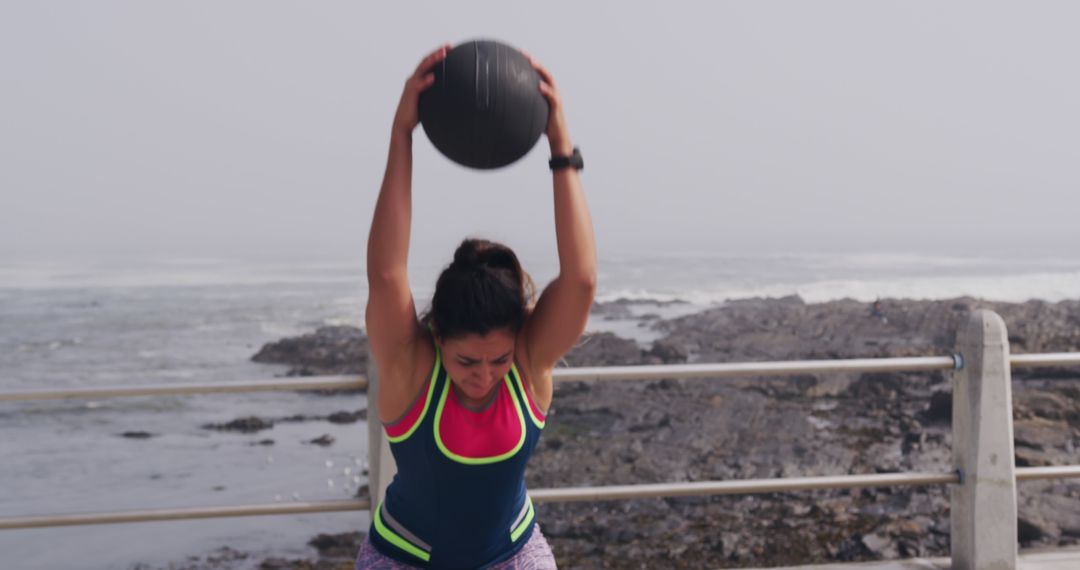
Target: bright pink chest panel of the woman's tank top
(492, 435)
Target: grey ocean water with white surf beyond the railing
(178, 321)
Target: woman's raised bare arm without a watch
(391, 319)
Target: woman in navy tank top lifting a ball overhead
(464, 391)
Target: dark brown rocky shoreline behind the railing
(613, 433)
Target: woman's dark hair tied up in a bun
(484, 290)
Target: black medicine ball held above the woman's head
(485, 110)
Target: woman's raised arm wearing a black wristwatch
(561, 314)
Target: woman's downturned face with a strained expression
(478, 363)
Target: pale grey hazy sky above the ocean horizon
(261, 128)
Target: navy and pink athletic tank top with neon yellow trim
(458, 499)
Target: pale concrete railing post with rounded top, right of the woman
(984, 505)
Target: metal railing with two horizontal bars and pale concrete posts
(982, 408)
